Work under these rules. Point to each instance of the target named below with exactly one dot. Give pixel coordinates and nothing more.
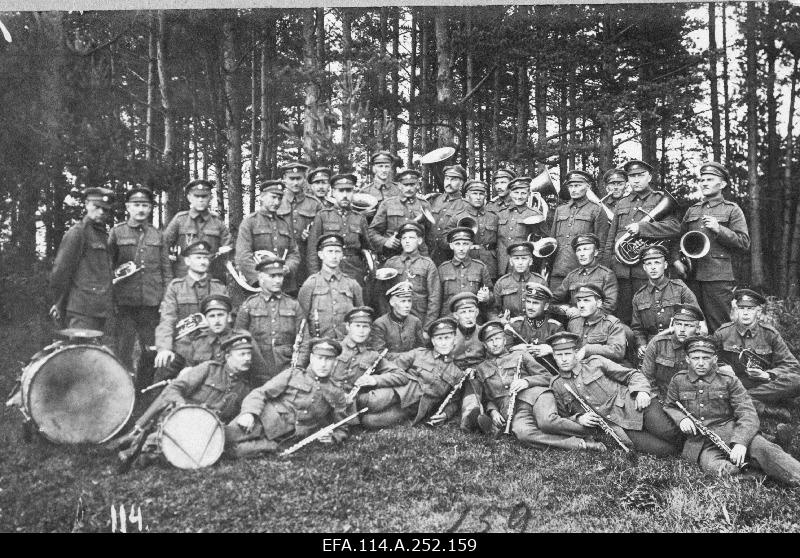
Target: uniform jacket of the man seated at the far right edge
(764, 340)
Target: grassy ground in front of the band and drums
(391, 481)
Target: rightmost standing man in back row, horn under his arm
(723, 223)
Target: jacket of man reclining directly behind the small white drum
(212, 384)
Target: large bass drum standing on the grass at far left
(77, 394)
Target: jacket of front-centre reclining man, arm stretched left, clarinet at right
(425, 379)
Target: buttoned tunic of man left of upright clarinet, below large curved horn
(274, 321)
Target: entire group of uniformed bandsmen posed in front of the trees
(573, 350)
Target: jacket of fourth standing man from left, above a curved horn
(264, 231)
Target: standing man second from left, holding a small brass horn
(138, 296)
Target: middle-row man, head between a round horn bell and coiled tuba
(587, 251)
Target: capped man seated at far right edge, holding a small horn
(773, 376)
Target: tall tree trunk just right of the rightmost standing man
(751, 90)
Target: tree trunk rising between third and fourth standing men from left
(232, 125)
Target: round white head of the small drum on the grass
(192, 437)
